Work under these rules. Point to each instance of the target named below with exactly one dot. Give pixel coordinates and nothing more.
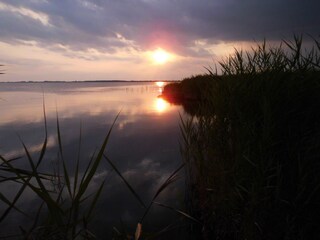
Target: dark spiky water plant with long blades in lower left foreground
(66, 205)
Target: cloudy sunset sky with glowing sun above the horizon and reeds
(75, 40)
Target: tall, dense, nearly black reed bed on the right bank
(252, 148)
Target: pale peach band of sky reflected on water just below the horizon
(132, 99)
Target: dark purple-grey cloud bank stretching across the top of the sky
(87, 24)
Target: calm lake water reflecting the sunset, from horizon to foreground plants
(144, 145)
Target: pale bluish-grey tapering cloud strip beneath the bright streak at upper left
(15, 27)
